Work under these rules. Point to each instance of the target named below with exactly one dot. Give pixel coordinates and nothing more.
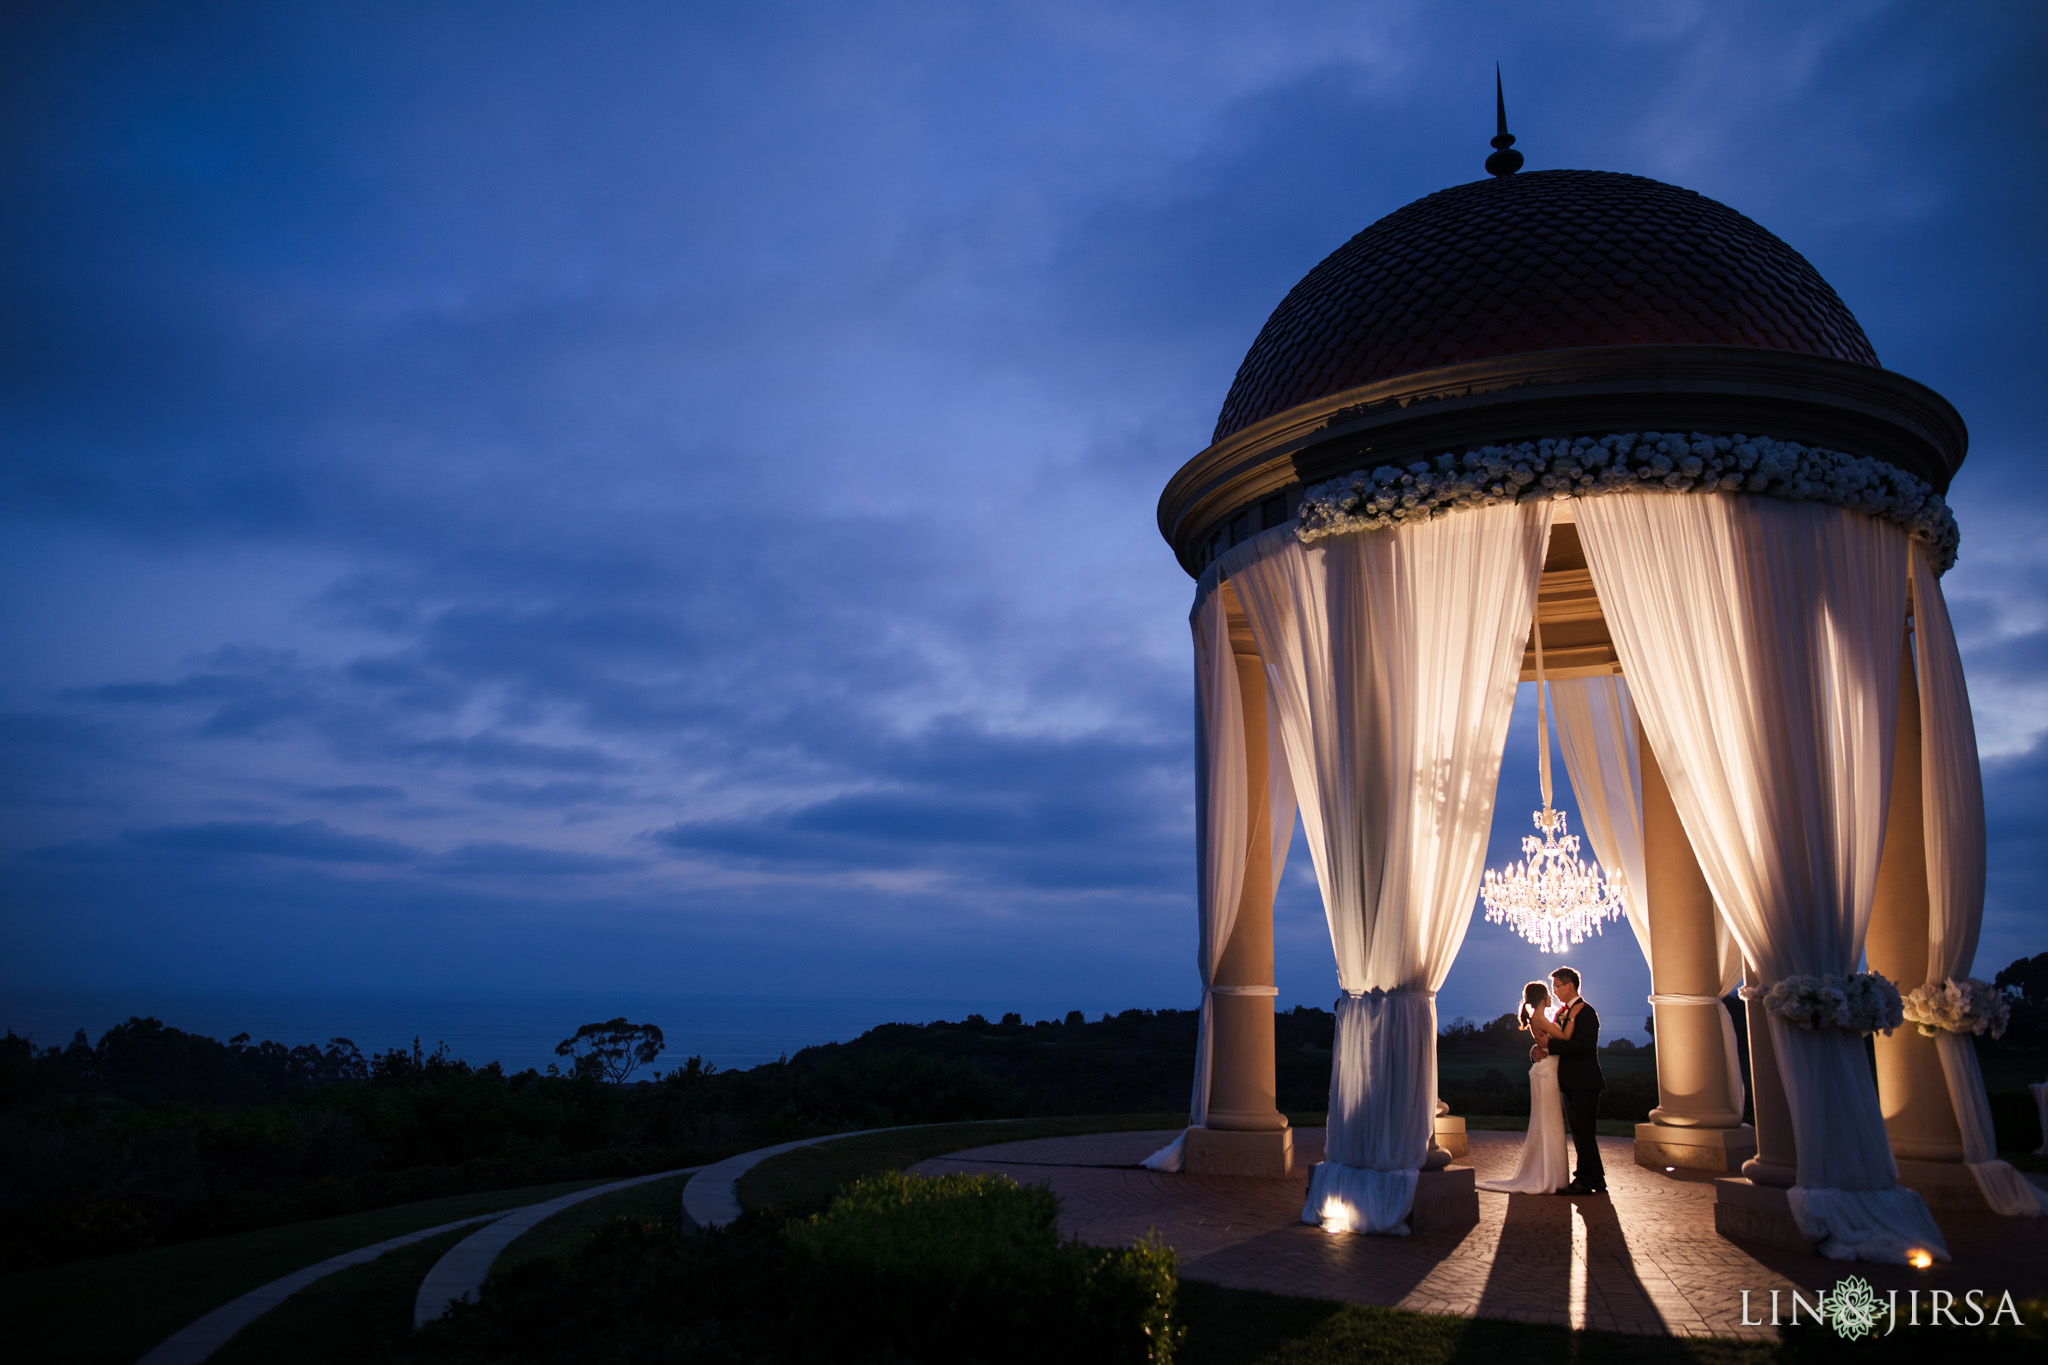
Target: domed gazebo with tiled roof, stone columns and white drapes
(1641, 421)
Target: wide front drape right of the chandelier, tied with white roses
(1762, 640)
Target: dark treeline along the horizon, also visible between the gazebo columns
(155, 1135)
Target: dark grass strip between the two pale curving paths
(355, 1315)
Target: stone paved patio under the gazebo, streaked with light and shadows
(1644, 1260)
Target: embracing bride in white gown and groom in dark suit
(1564, 1084)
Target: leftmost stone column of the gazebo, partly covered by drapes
(1246, 1131)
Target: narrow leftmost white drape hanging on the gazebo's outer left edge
(1220, 832)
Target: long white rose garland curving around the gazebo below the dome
(1586, 468)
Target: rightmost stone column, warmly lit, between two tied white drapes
(1912, 1088)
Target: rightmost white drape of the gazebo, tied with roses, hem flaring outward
(1953, 797)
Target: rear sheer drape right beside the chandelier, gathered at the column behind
(1596, 728)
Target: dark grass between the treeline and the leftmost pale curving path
(112, 1311)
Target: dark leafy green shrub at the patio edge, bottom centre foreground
(970, 1268)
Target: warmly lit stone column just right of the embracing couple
(1699, 1122)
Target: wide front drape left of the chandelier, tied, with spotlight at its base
(1392, 660)
